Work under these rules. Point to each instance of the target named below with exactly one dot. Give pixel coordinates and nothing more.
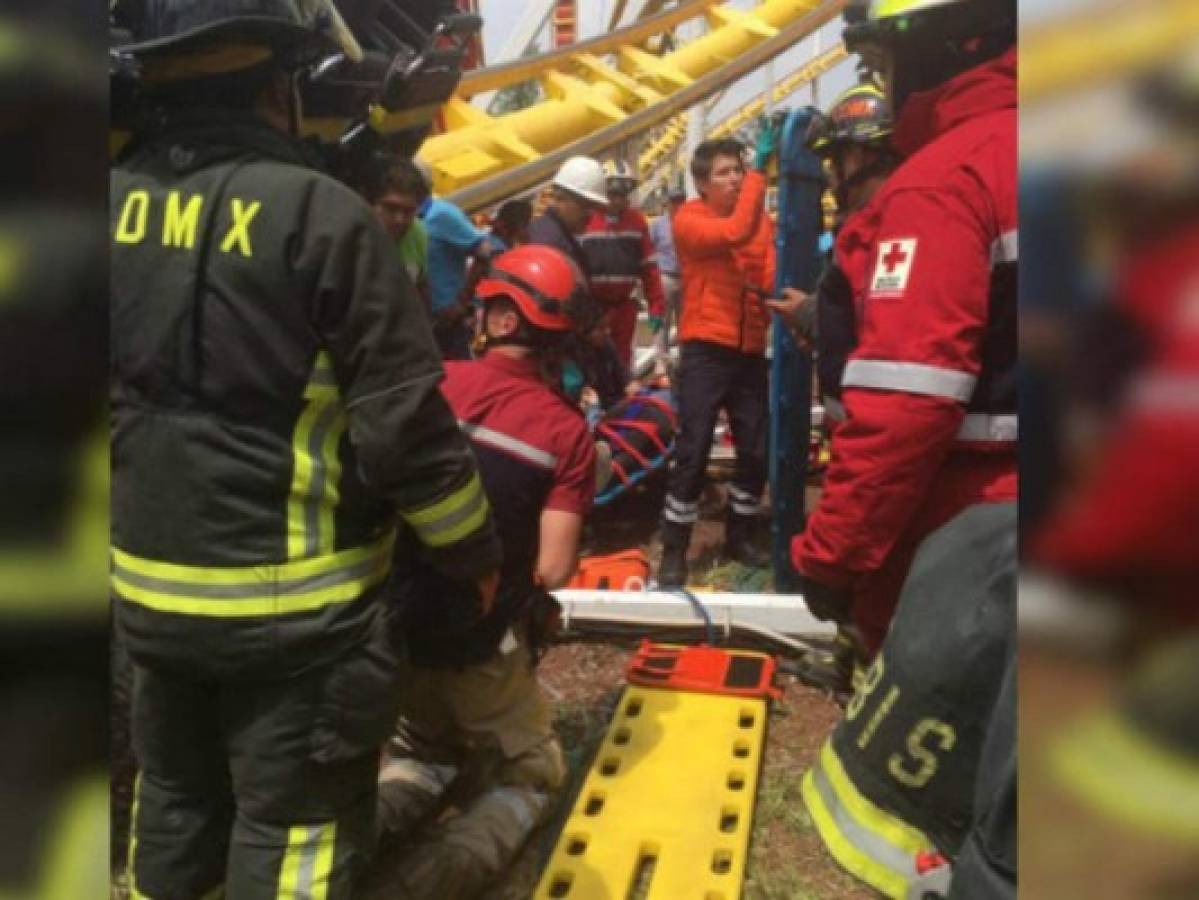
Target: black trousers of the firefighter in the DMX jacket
(266, 788)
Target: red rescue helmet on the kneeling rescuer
(541, 281)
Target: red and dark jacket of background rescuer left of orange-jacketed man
(620, 255)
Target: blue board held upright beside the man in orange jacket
(802, 185)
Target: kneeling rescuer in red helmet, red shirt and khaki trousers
(472, 702)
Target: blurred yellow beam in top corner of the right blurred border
(1100, 46)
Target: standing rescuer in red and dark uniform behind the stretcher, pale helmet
(622, 256)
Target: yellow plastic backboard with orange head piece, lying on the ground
(666, 810)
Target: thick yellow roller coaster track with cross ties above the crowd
(593, 105)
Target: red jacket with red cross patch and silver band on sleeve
(932, 267)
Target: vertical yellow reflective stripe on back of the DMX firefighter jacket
(316, 469)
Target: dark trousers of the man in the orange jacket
(712, 378)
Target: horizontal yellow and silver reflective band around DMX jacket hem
(263, 590)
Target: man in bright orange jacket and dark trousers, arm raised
(726, 249)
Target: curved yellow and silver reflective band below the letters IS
(870, 843)
